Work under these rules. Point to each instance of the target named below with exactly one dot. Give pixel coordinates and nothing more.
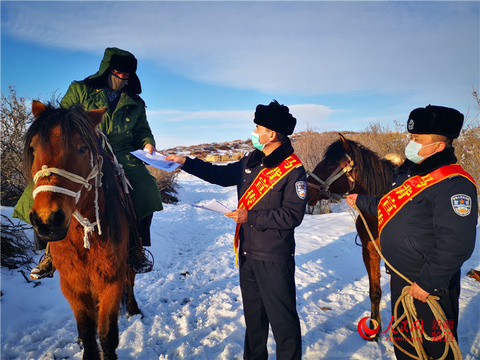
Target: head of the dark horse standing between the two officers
(334, 175)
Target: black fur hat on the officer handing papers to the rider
(275, 117)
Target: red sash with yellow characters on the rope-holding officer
(393, 201)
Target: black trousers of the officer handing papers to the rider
(269, 298)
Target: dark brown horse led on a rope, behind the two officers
(348, 167)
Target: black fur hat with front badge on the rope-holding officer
(435, 120)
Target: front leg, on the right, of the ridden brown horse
(109, 306)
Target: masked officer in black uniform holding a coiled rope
(427, 234)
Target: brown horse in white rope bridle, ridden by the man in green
(83, 220)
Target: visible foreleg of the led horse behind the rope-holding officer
(371, 260)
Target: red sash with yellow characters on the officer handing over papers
(264, 181)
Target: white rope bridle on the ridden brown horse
(96, 174)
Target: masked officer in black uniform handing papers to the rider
(271, 186)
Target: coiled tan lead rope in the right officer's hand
(410, 313)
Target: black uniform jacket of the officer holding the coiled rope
(427, 240)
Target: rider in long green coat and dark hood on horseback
(116, 86)
